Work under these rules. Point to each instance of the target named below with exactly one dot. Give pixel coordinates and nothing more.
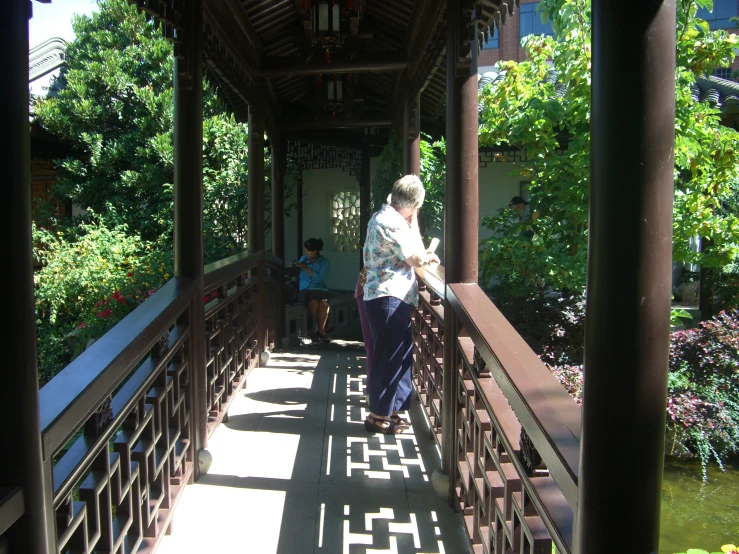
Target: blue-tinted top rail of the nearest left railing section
(80, 388)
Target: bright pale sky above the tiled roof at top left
(54, 20)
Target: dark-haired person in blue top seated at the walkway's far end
(314, 269)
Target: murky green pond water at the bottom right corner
(697, 514)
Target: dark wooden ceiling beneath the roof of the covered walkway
(272, 55)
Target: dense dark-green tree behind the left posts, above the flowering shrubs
(116, 108)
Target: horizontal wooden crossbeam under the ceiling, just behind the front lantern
(286, 67)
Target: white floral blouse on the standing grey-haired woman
(390, 241)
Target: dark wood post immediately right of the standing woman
(461, 212)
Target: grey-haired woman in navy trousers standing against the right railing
(392, 249)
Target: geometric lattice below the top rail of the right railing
(507, 506)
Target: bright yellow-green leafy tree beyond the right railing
(549, 119)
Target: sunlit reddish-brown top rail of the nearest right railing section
(550, 417)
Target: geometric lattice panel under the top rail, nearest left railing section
(115, 488)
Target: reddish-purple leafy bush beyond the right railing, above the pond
(703, 378)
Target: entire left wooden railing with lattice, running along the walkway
(118, 424)
